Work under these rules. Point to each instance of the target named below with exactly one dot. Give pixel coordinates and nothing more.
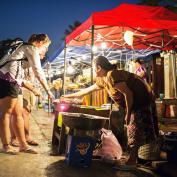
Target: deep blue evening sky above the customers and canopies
(21, 18)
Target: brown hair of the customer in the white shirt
(38, 38)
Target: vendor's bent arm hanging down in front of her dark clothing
(128, 94)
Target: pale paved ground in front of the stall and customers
(45, 165)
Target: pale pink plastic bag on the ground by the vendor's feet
(109, 148)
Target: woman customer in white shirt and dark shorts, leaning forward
(11, 80)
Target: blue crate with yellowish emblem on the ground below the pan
(79, 150)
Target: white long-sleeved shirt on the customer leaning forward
(14, 71)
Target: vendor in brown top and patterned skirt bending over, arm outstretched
(131, 92)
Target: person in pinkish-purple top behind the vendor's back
(140, 70)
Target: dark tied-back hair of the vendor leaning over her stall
(104, 63)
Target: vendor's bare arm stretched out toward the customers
(83, 92)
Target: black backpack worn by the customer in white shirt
(7, 48)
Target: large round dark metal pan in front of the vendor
(83, 121)
